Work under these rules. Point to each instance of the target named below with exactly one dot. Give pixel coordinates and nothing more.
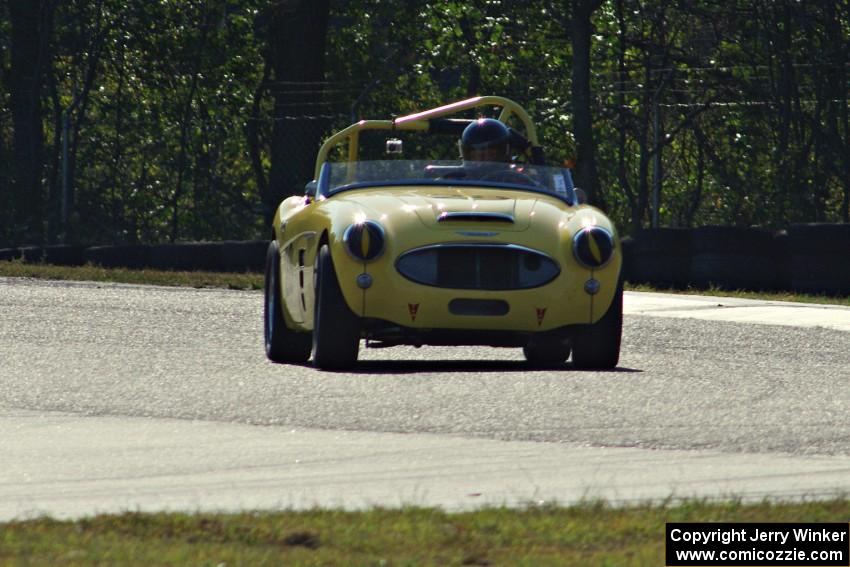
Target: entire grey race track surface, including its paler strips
(118, 397)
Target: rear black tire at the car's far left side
(282, 343)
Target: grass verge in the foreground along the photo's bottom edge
(586, 534)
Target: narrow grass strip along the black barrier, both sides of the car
(20, 269)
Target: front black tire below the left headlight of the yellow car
(336, 329)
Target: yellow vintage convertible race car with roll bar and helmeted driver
(382, 250)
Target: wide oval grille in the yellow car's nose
(478, 266)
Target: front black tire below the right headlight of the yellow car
(597, 346)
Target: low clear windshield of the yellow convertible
(344, 176)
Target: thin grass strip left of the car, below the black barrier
(18, 269)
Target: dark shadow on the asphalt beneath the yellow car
(468, 366)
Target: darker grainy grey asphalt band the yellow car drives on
(122, 352)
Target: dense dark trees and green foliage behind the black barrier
(190, 119)
